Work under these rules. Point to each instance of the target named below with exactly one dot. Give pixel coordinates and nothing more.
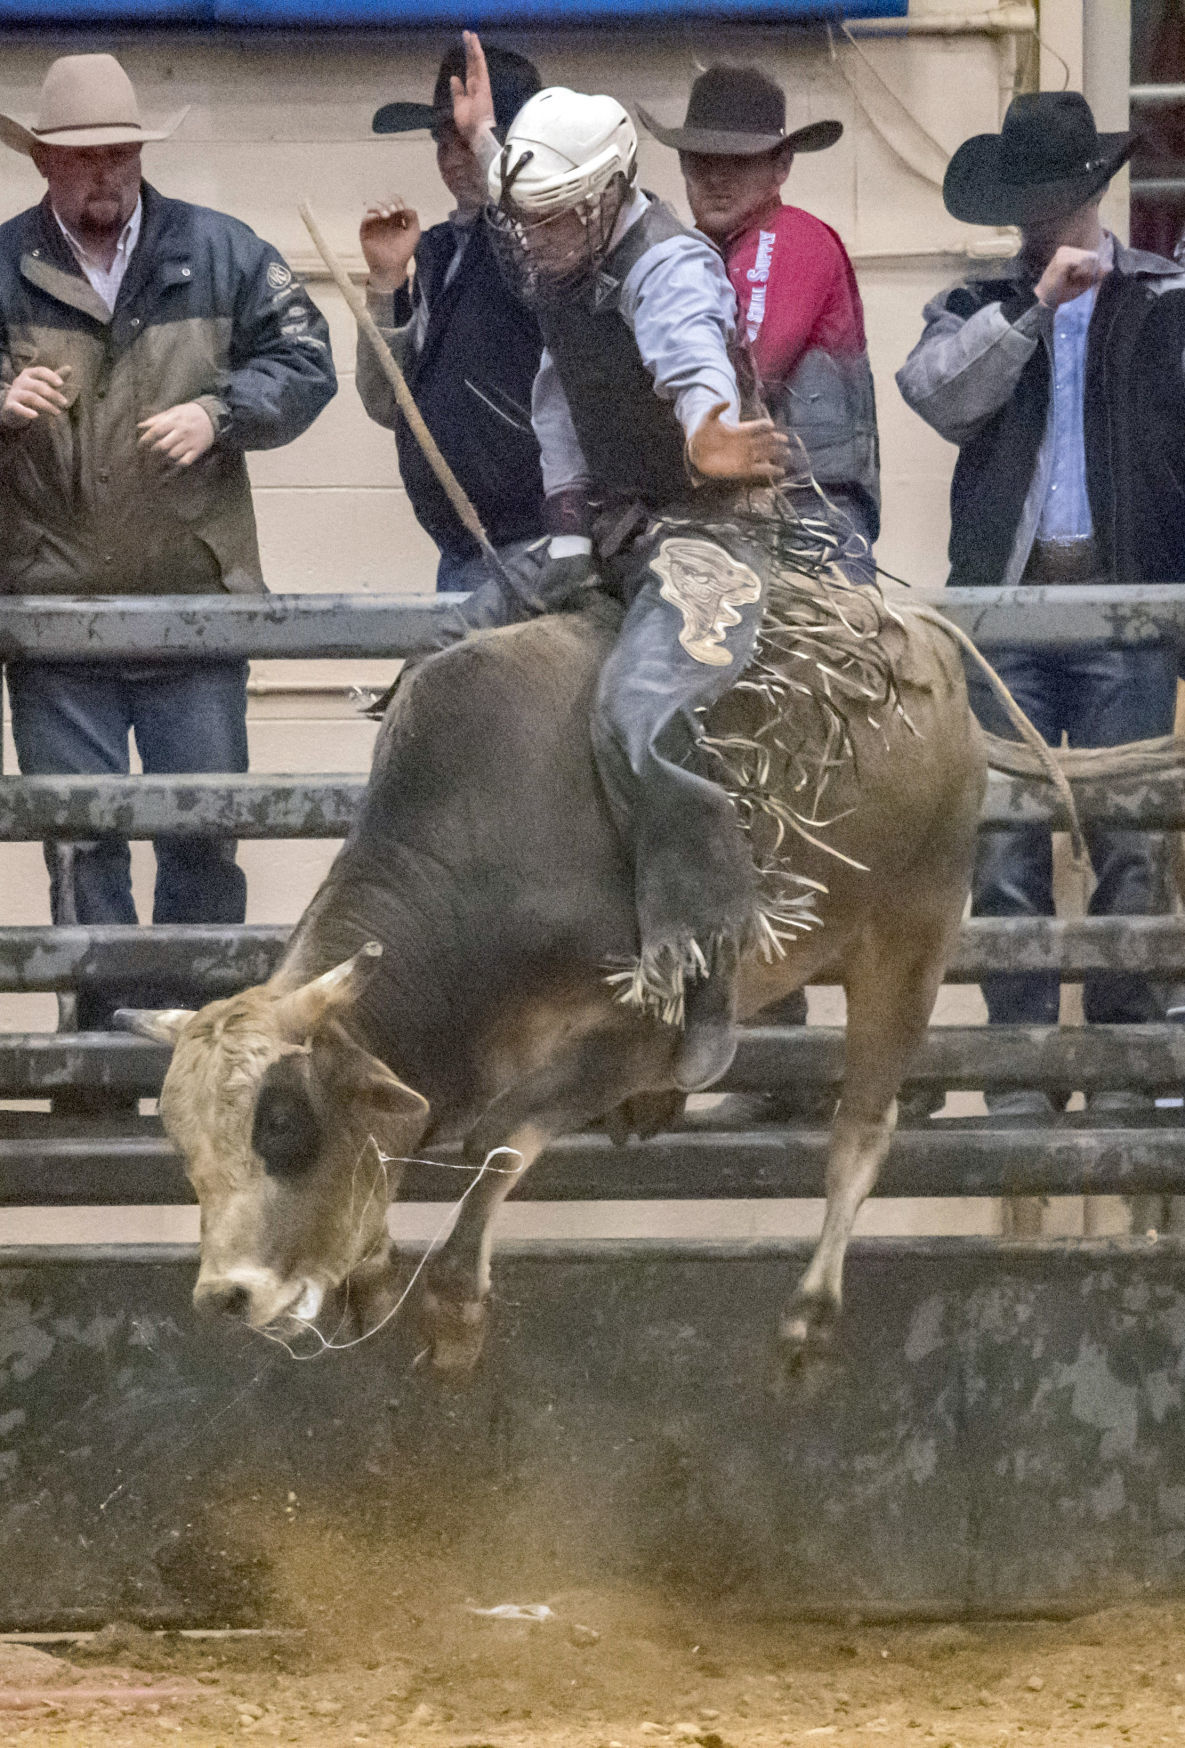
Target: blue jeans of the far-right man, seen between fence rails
(1097, 698)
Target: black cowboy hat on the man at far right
(1048, 160)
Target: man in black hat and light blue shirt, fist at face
(1060, 378)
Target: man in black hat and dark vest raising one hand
(468, 345)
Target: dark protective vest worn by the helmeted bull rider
(632, 441)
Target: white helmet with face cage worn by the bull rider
(562, 151)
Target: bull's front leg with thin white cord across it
(586, 1079)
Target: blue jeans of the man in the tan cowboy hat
(74, 719)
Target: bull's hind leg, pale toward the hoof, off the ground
(892, 978)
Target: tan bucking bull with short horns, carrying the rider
(489, 873)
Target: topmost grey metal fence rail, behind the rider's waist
(163, 628)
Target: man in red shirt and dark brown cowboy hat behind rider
(794, 284)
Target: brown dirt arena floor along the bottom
(410, 1663)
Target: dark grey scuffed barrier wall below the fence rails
(1001, 1431)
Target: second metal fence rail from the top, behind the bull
(326, 807)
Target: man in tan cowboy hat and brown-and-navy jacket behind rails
(144, 347)
